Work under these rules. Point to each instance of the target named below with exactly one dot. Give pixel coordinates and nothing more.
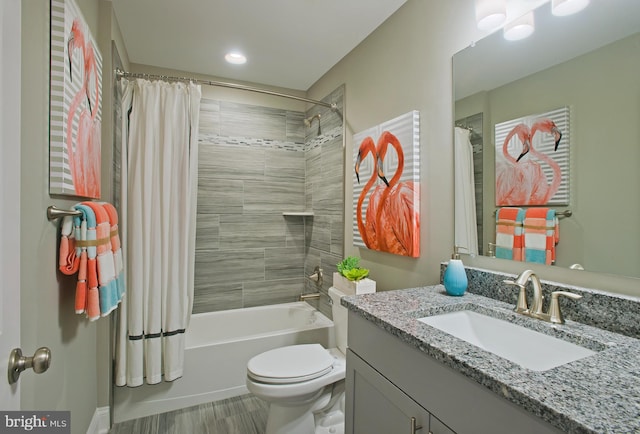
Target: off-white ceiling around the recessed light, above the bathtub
(288, 43)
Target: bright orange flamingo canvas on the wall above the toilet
(386, 186)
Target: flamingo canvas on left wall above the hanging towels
(75, 112)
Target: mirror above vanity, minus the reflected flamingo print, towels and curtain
(589, 62)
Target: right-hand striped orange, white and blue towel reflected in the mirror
(541, 235)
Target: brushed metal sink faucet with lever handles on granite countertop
(536, 311)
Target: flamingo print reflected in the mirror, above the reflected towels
(532, 159)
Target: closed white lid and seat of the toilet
(290, 364)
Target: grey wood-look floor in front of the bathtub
(244, 414)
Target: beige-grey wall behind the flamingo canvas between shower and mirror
(405, 64)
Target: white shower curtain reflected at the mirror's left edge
(466, 234)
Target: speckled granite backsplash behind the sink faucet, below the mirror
(613, 312)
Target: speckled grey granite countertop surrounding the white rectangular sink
(597, 394)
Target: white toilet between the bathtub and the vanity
(304, 384)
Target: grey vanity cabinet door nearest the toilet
(376, 406)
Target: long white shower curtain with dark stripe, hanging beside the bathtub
(158, 206)
